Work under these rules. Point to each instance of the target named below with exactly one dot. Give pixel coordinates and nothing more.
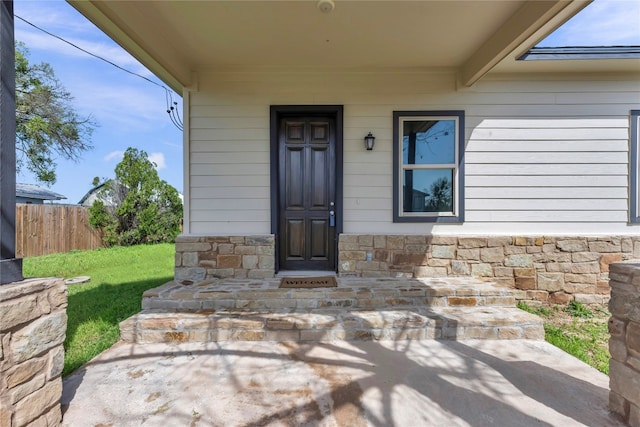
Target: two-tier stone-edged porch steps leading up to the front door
(358, 309)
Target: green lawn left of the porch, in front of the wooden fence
(119, 276)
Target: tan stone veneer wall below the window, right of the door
(541, 268)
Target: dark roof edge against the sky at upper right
(581, 52)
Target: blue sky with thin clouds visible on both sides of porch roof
(131, 112)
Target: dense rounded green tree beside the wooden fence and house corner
(136, 207)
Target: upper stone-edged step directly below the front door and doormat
(352, 293)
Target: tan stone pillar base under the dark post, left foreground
(33, 328)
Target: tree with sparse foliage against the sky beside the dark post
(47, 126)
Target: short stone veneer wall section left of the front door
(205, 257)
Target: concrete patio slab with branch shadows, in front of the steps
(407, 383)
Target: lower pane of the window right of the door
(428, 190)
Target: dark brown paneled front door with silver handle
(307, 192)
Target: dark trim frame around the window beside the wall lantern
(458, 190)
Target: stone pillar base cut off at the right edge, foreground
(624, 344)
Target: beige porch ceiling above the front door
(176, 38)
